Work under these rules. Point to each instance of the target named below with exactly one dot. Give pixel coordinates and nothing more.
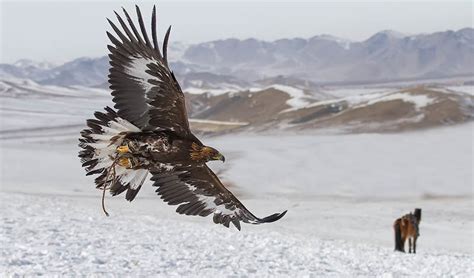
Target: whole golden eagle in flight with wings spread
(149, 133)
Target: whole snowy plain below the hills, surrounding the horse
(342, 192)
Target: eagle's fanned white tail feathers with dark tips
(99, 143)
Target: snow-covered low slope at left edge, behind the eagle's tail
(28, 105)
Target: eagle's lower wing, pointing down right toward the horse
(198, 191)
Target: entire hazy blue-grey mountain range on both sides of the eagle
(324, 59)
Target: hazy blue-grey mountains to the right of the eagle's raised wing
(324, 59)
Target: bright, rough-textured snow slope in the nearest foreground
(66, 236)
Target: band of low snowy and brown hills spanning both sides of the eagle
(275, 108)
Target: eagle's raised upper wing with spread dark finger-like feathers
(144, 89)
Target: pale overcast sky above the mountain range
(63, 30)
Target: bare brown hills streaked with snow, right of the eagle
(267, 111)
